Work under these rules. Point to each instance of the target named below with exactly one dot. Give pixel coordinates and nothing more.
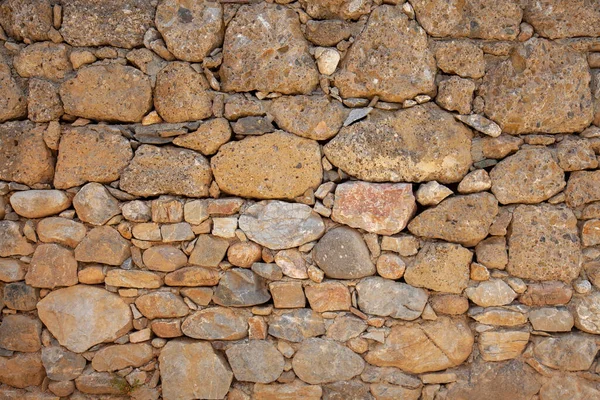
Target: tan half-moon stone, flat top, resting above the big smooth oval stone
(312, 117)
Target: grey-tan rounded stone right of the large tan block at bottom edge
(255, 361)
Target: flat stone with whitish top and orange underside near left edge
(39, 203)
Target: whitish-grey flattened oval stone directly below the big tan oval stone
(280, 225)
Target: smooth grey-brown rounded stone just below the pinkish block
(342, 254)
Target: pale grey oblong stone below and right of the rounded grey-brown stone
(385, 298)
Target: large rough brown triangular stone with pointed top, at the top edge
(390, 59)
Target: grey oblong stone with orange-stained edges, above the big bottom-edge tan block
(217, 323)
